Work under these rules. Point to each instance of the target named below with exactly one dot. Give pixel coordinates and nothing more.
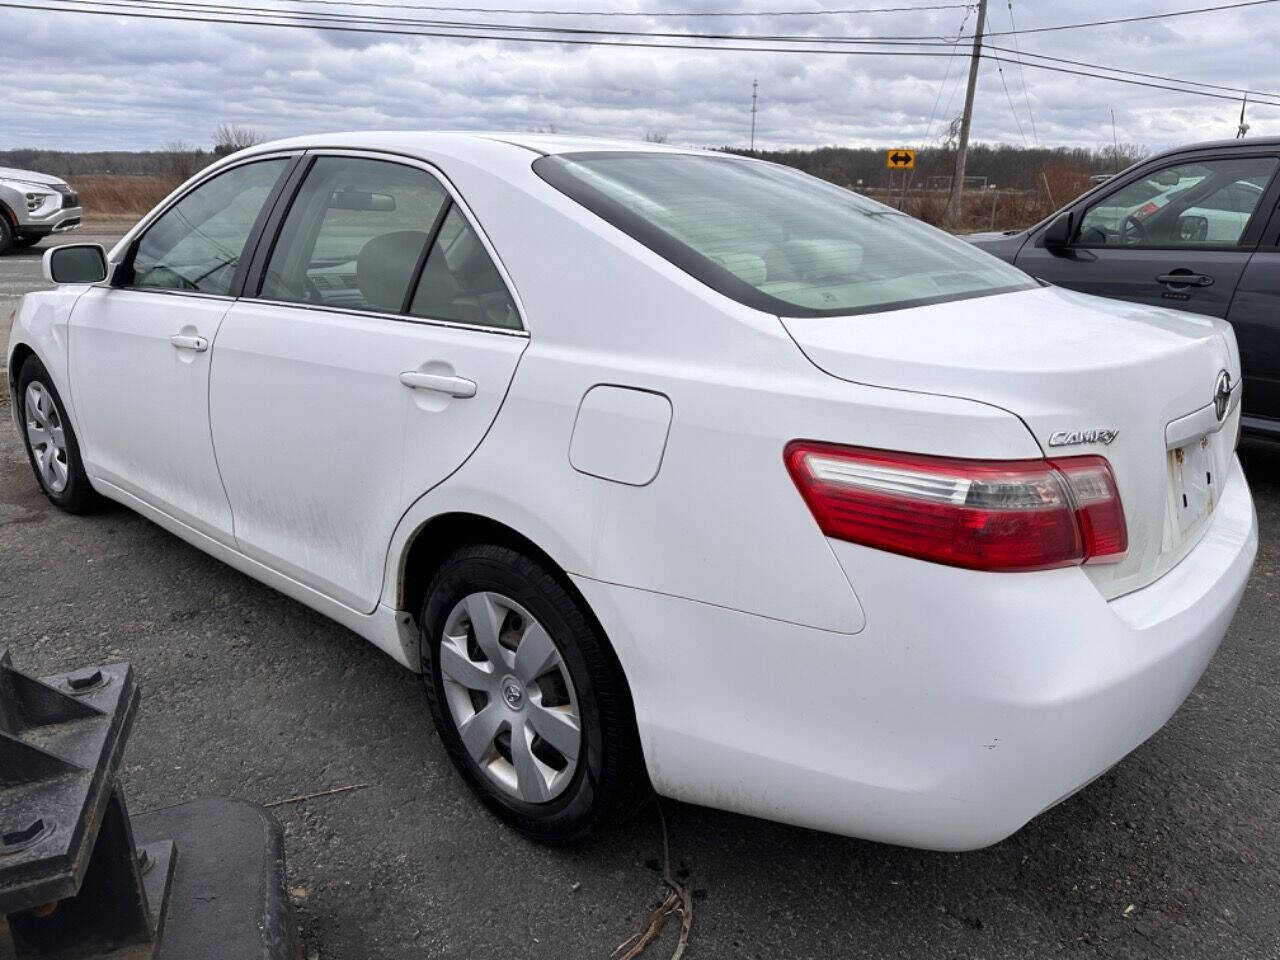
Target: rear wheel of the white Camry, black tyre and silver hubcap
(528, 697)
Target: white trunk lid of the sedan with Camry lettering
(1130, 382)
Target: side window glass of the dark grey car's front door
(1209, 203)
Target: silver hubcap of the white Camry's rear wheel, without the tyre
(511, 697)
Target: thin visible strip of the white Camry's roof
(426, 144)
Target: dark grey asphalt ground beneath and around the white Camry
(1176, 853)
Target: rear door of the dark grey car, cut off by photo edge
(1256, 317)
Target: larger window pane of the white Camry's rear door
(355, 235)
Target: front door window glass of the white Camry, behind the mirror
(199, 243)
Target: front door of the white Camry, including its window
(139, 351)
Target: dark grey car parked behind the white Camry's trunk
(1197, 230)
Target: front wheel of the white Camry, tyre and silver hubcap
(51, 442)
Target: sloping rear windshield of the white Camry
(775, 239)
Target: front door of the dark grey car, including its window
(1177, 236)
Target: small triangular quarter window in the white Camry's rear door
(461, 284)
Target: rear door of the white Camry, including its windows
(365, 369)
